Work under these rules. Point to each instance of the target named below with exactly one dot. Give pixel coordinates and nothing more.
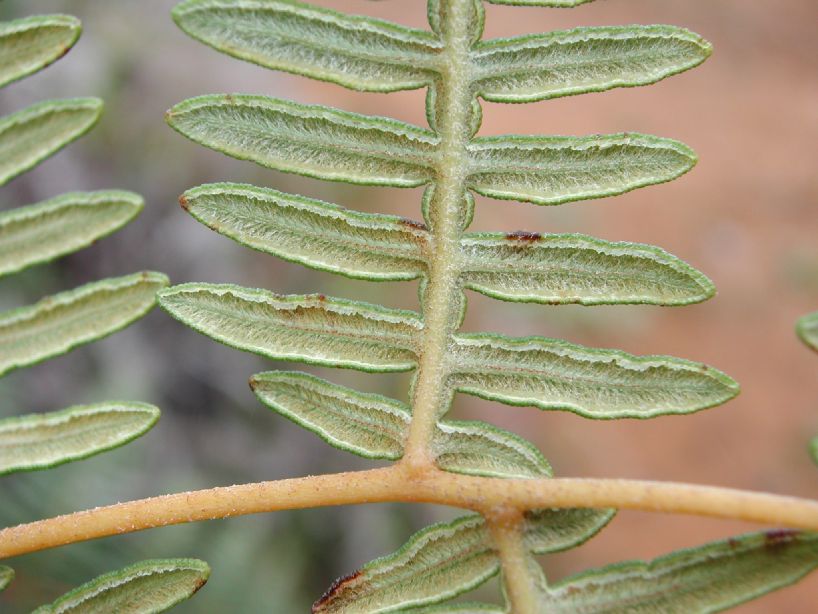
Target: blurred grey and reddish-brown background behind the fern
(746, 217)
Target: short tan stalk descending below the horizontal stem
(507, 533)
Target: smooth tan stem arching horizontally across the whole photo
(399, 483)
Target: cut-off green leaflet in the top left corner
(32, 43)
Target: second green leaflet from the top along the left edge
(29, 136)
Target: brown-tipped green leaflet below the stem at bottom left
(144, 588)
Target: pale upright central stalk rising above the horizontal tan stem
(441, 300)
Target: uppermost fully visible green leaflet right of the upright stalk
(563, 63)
